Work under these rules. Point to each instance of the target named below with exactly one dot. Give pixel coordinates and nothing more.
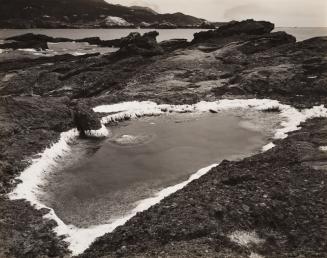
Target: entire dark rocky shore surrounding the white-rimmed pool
(280, 195)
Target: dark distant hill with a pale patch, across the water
(84, 14)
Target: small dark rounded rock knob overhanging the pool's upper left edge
(85, 119)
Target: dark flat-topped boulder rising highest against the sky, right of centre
(247, 27)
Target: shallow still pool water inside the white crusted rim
(102, 180)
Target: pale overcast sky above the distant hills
(301, 13)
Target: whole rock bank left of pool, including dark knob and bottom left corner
(27, 126)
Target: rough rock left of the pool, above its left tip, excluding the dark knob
(28, 125)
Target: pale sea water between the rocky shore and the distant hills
(75, 48)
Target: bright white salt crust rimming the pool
(80, 239)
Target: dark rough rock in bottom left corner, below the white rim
(24, 233)
